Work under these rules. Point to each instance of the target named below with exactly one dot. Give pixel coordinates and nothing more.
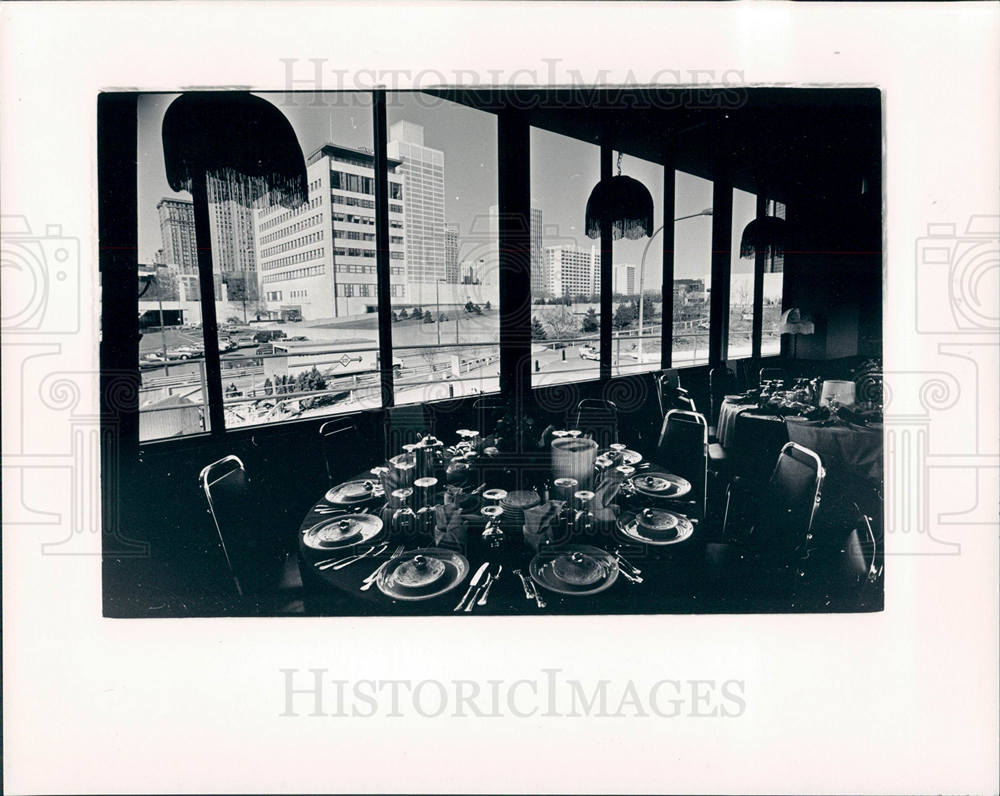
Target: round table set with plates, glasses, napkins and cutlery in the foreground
(438, 529)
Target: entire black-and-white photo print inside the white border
(552, 350)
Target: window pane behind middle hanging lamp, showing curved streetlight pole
(634, 349)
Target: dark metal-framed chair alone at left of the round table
(255, 554)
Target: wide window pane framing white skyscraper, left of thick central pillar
(443, 245)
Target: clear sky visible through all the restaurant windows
(563, 173)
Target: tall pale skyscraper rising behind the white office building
(422, 169)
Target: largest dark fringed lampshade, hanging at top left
(244, 145)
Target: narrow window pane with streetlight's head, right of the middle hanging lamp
(692, 269)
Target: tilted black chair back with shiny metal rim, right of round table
(793, 495)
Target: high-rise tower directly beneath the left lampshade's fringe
(233, 251)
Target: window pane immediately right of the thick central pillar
(565, 263)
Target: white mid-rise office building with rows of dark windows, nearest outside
(318, 261)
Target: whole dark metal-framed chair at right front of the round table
(776, 522)
